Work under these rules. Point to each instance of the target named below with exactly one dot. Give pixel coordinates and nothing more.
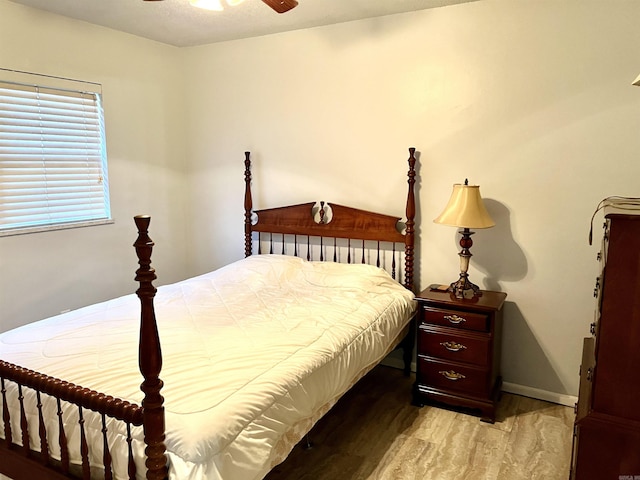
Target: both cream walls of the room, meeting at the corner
(530, 99)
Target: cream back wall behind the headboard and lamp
(530, 99)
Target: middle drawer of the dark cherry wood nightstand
(454, 345)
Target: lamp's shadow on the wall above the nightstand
(495, 252)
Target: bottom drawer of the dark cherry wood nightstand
(464, 379)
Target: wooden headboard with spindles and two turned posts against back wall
(328, 222)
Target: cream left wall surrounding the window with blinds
(45, 273)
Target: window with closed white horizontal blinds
(53, 162)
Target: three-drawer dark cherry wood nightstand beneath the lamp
(459, 342)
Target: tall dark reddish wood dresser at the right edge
(607, 426)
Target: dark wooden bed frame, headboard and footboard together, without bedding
(20, 462)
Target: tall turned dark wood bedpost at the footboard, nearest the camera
(150, 357)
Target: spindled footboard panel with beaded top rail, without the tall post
(43, 452)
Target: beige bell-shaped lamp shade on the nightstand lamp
(465, 209)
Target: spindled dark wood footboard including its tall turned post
(53, 429)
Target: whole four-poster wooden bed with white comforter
(253, 354)
